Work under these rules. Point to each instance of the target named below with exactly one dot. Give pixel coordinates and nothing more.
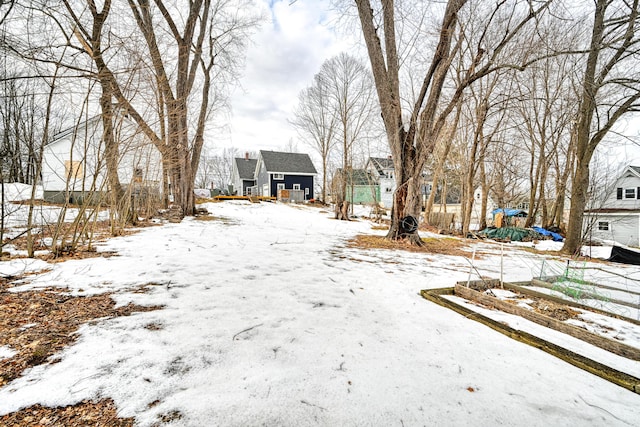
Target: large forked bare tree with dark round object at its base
(412, 136)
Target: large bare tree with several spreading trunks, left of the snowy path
(192, 51)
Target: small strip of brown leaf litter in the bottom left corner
(85, 413)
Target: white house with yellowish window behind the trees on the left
(74, 166)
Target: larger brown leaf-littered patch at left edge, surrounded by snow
(38, 324)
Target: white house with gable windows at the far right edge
(618, 218)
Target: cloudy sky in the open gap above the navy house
(287, 51)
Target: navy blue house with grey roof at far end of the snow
(278, 174)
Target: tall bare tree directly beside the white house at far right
(610, 89)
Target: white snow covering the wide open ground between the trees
(270, 318)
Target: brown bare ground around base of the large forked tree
(431, 245)
